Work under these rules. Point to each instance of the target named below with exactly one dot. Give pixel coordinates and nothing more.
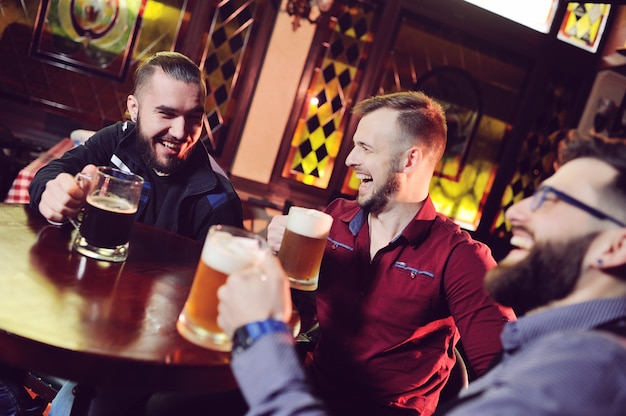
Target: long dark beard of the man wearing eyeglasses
(548, 273)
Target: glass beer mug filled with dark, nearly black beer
(112, 199)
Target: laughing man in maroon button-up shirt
(399, 283)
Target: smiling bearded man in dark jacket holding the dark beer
(185, 191)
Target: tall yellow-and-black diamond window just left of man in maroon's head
(319, 132)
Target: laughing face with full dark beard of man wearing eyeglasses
(551, 243)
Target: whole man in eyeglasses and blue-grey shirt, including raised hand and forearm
(566, 278)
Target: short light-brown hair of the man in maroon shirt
(420, 118)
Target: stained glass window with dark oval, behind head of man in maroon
(465, 175)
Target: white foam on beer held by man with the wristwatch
(227, 253)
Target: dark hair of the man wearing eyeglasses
(611, 151)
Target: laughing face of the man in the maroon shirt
(376, 159)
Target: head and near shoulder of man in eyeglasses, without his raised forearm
(567, 276)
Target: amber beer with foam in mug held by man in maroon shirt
(303, 244)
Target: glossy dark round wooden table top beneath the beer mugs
(101, 323)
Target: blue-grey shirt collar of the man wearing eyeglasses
(582, 316)
